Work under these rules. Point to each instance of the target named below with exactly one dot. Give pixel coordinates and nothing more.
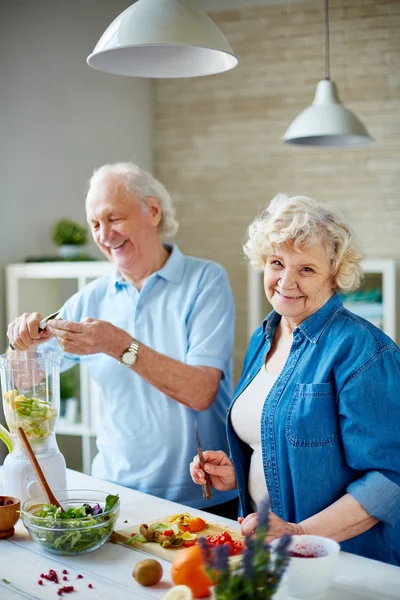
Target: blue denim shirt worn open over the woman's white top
(330, 424)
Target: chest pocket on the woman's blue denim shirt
(312, 418)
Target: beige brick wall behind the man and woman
(218, 138)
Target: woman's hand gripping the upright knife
(220, 468)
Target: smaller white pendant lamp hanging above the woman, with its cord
(327, 122)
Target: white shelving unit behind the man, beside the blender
(44, 287)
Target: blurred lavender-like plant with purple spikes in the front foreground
(261, 569)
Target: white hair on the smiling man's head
(143, 185)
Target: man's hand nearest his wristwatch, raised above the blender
(90, 336)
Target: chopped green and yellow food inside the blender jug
(34, 415)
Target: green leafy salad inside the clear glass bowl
(75, 531)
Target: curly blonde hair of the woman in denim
(304, 222)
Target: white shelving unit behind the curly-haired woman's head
(384, 269)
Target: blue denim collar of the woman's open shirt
(313, 326)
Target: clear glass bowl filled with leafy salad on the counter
(87, 523)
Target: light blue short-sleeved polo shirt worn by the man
(146, 440)
